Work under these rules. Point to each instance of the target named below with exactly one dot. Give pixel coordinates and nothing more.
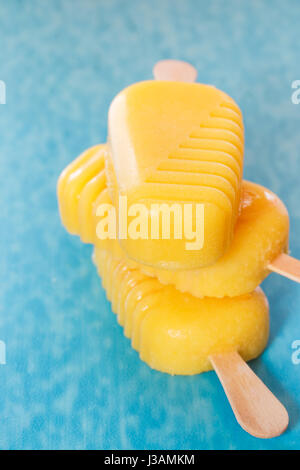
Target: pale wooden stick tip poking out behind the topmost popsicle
(174, 70)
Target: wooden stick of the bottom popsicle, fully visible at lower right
(255, 407)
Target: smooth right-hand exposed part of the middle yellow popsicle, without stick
(261, 235)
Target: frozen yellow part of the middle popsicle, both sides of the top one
(261, 232)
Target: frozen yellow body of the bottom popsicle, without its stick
(176, 332)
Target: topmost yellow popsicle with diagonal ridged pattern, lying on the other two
(173, 142)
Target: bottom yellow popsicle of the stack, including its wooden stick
(181, 334)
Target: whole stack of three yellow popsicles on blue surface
(179, 146)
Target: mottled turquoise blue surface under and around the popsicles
(72, 380)
